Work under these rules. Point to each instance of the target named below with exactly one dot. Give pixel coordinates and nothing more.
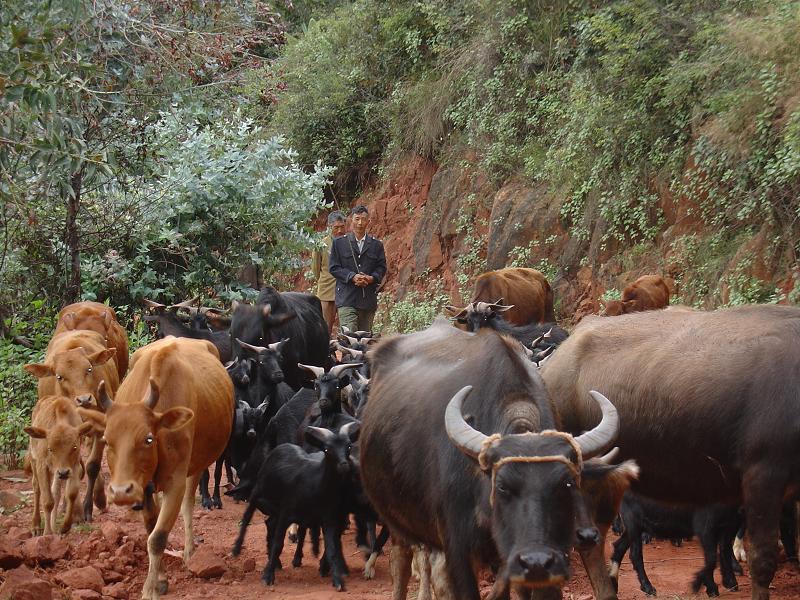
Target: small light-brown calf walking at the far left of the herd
(54, 453)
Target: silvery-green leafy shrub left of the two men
(220, 195)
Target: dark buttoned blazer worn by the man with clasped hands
(345, 262)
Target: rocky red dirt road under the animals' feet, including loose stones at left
(107, 559)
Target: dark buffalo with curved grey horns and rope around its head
(511, 500)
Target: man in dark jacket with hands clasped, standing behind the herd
(358, 263)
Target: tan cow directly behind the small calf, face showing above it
(74, 365)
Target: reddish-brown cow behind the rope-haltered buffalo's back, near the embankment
(526, 289)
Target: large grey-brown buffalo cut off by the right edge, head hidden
(709, 407)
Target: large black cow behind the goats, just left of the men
(277, 315)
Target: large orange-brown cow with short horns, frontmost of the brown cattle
(171, 419)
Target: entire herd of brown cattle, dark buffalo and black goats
(493, 438)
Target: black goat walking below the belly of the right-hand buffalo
(715, 526)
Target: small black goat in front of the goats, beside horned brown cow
(297, 487)
